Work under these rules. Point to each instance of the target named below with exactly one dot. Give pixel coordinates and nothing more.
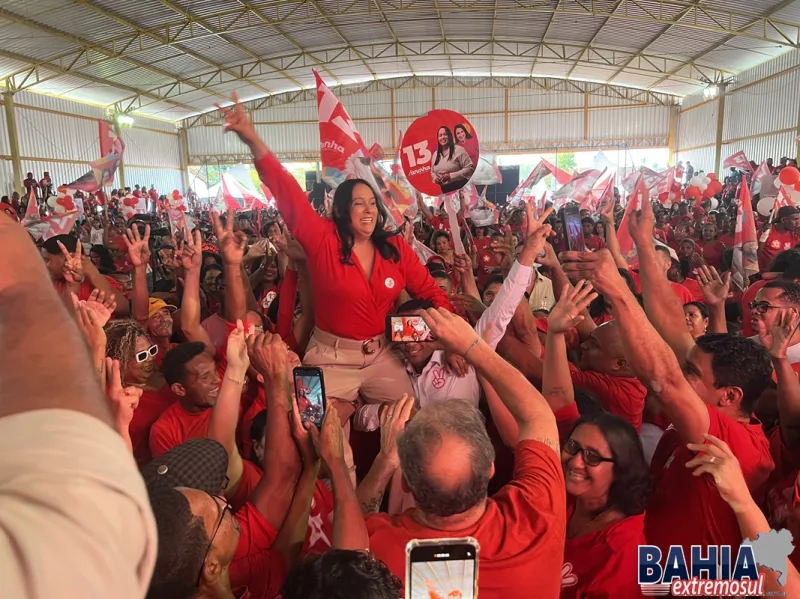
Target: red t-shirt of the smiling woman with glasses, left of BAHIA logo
(604, 563)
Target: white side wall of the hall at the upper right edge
(762, 113)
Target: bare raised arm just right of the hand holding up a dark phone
(662, 305)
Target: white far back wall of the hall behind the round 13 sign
(536, 119)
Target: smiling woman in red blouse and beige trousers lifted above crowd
(357, 271)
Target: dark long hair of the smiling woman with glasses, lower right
(633, 482)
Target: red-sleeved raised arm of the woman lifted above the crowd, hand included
(304, 223)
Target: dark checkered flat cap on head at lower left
(196, 464)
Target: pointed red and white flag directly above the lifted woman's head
(339, 139)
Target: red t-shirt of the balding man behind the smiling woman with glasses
(620, 395)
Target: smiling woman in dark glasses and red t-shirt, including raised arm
(607, 478)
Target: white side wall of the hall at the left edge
(61, 137)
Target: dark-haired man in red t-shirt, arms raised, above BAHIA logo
(724, 377)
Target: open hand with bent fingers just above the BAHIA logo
(716, 459)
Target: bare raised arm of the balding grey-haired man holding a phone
(530, 410)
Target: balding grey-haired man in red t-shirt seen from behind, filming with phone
(521, 528)
